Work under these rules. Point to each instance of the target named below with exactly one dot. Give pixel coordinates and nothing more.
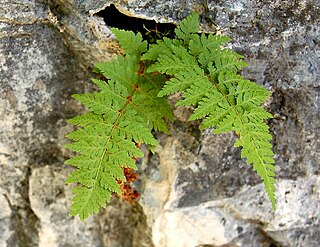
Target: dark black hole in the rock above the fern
(150, 29)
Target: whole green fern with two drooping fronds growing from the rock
(132, 103)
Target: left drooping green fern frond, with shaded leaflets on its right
(120, 115)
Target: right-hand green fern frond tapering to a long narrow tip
(207, 75)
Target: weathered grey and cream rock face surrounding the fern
(196, 190)
